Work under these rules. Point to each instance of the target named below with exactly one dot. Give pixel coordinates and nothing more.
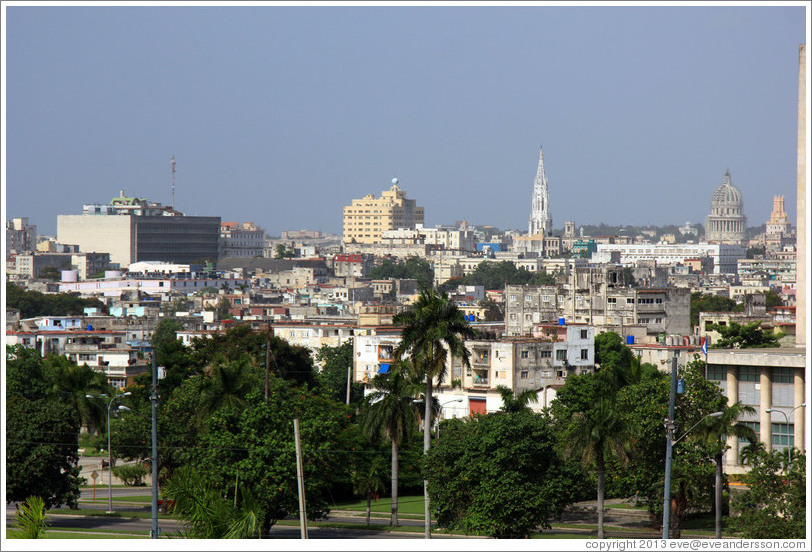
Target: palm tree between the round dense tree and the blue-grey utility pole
(594, 435)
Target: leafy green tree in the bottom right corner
(773, 506)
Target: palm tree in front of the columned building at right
(712, 433)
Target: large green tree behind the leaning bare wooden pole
(256, 444)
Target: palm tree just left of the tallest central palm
(390, 411)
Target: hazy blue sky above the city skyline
(283, 115)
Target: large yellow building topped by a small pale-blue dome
(367, 218)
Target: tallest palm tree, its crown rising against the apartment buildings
(431, 329)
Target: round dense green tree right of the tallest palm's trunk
(498, 475)
